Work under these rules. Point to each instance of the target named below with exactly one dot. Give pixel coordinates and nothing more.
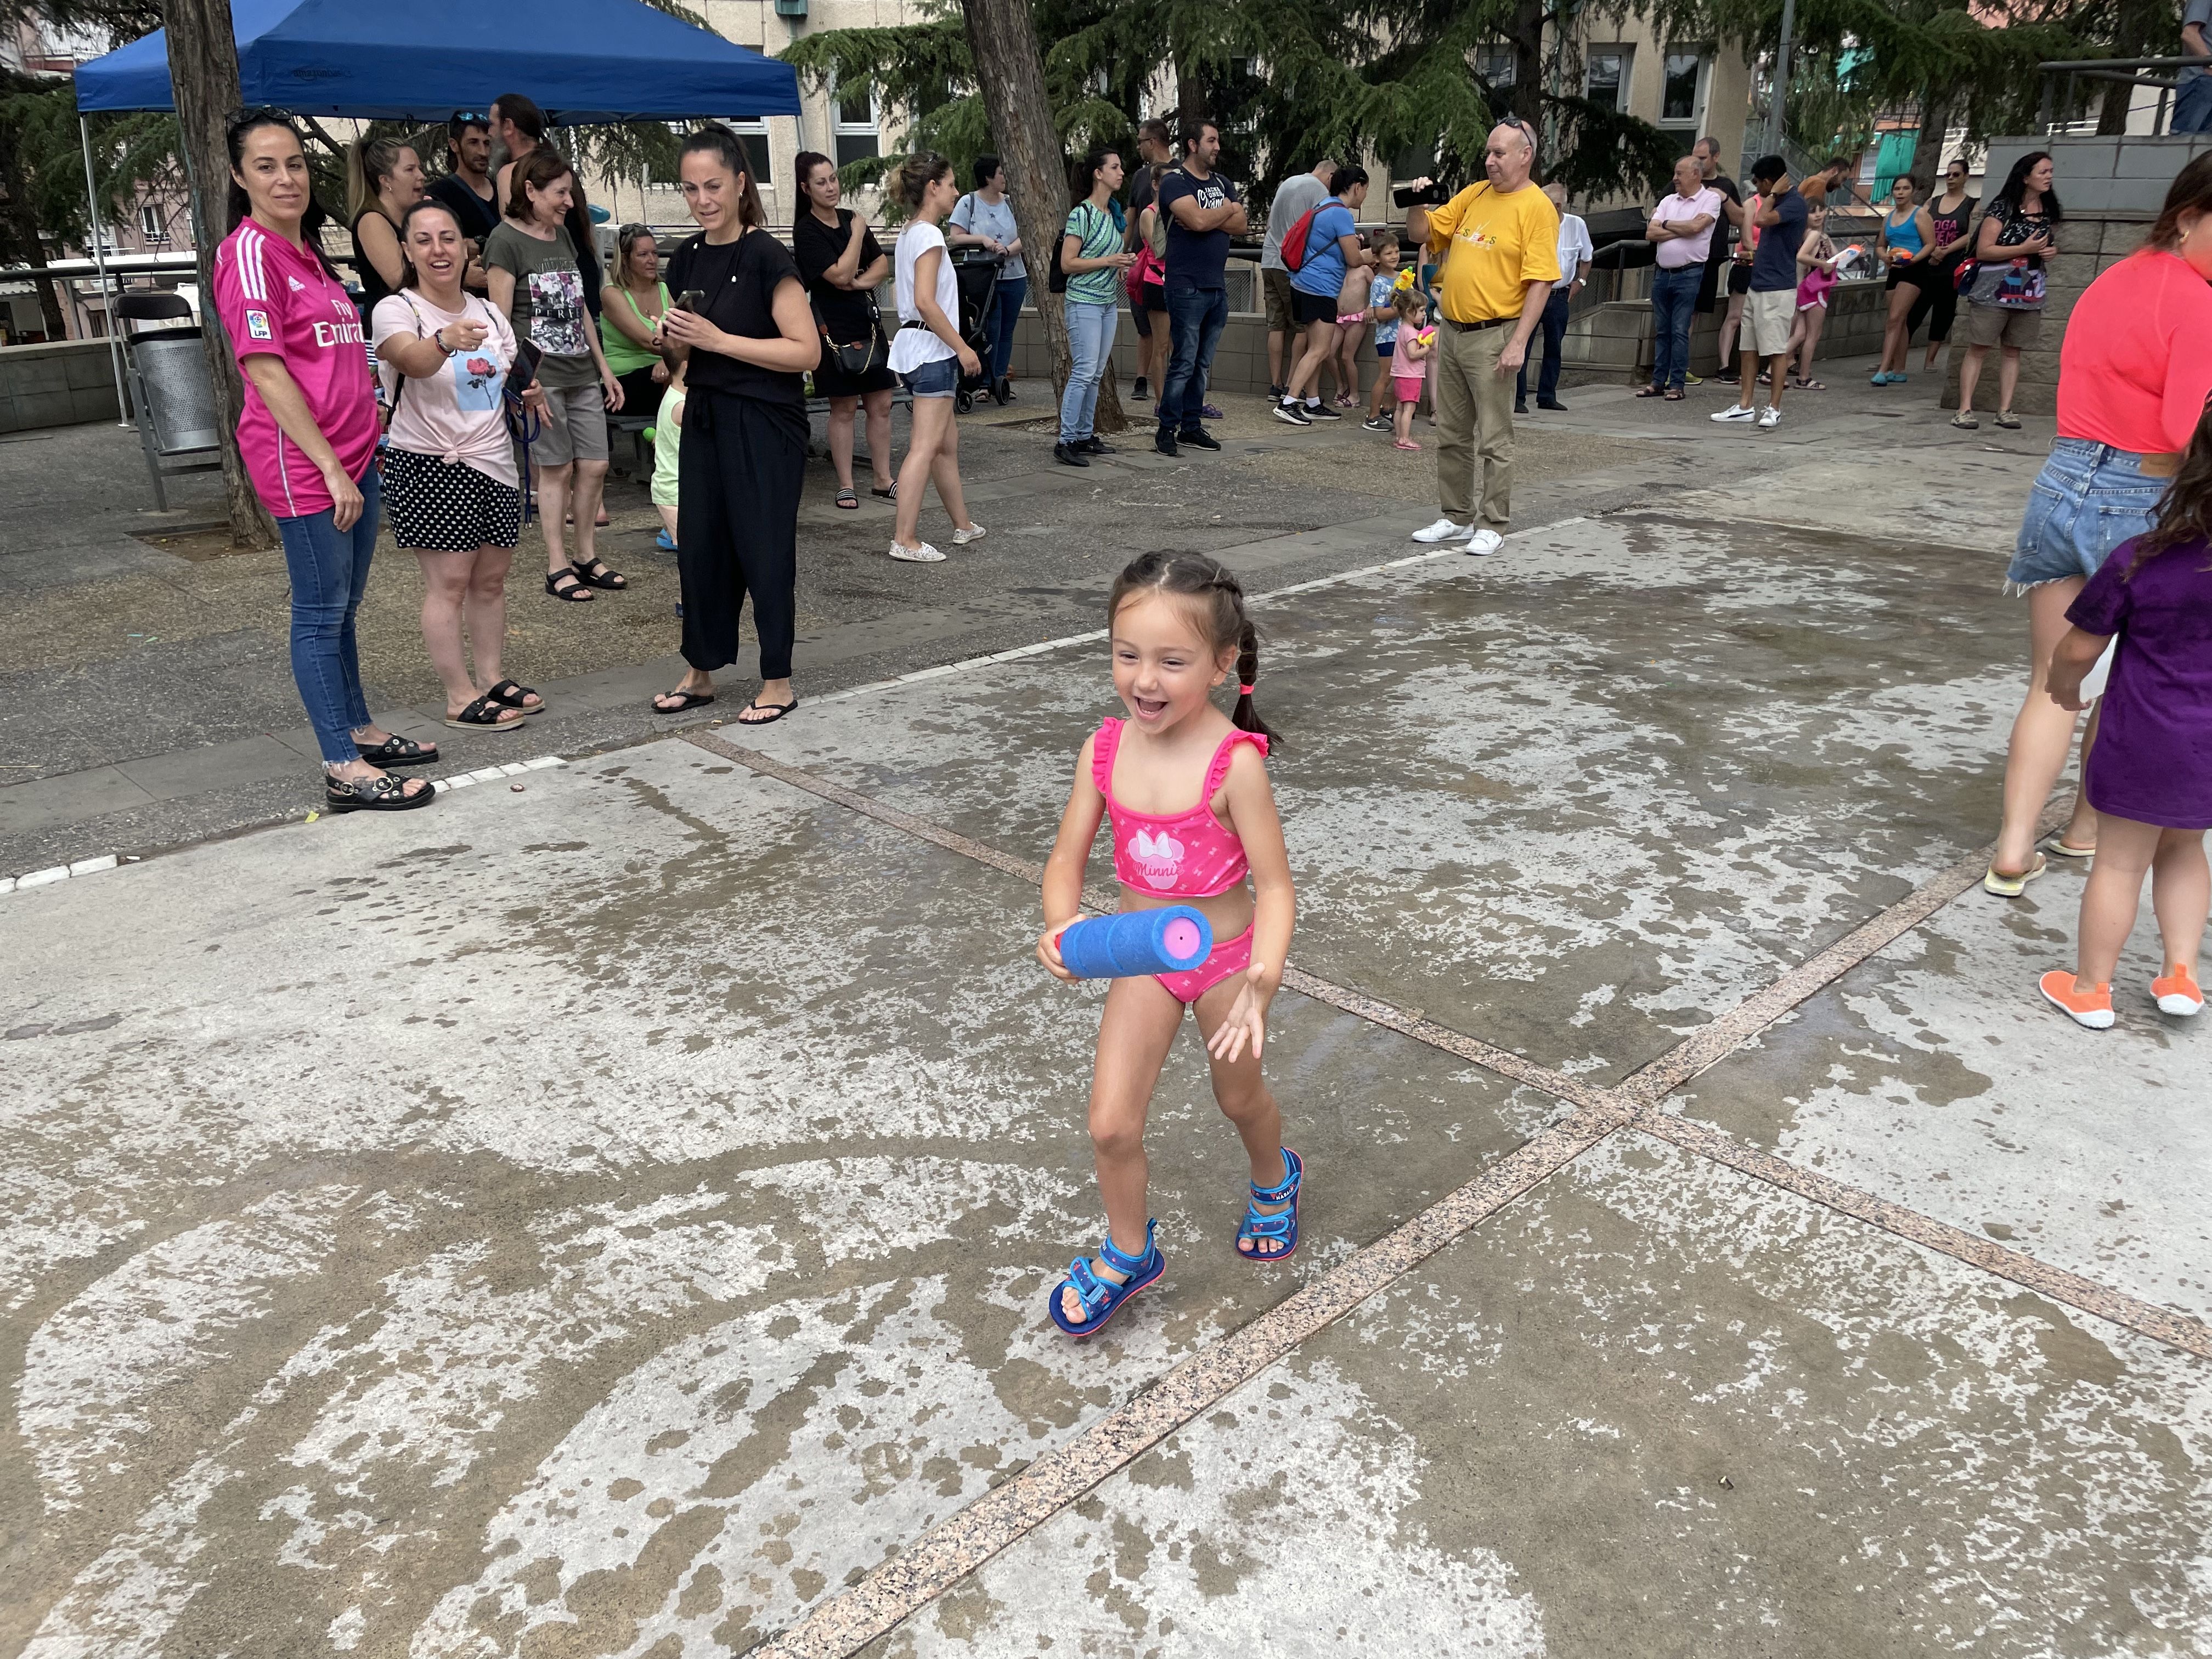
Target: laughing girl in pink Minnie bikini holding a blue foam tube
(1193, 824)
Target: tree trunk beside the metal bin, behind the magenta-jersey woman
(205, 74)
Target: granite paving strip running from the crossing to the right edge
(2060, 1286)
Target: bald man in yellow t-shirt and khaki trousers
(1501, 253)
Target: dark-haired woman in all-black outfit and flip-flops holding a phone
(747, 340)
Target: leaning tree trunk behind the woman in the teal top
(1010, 70)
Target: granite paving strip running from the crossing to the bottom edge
(957, 1547)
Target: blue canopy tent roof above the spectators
(581, 61)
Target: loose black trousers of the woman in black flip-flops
(738, 525)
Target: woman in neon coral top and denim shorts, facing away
(2136, 373)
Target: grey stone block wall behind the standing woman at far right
(2111, 191)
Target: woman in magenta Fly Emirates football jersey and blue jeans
(309, 439)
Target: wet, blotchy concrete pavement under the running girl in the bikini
(614, 1218)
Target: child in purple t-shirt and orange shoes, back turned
(2151, 766)
